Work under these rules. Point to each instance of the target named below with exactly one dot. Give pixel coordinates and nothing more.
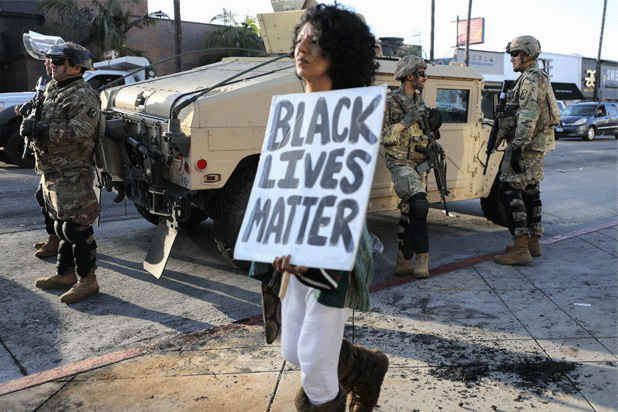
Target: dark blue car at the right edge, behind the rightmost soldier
(588, 120)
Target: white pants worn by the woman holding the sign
(311, 336)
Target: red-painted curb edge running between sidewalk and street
(63, 372)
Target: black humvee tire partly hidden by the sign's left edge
(229, 210)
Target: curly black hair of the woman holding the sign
(347, 40)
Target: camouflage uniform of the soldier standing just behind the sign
(401, 161)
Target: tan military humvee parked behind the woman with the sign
(185, 147)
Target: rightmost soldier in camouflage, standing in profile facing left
(531, 113)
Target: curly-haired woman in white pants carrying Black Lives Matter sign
(333, 49)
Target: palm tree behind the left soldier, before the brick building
(106, 23)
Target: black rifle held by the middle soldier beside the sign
(436, 158)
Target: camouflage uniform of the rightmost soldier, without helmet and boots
(530, 129)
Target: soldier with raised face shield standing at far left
(63, 143)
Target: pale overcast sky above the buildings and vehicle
(562, 26)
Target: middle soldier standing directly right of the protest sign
(401, 134)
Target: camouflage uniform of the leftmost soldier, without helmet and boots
(64, 156)
